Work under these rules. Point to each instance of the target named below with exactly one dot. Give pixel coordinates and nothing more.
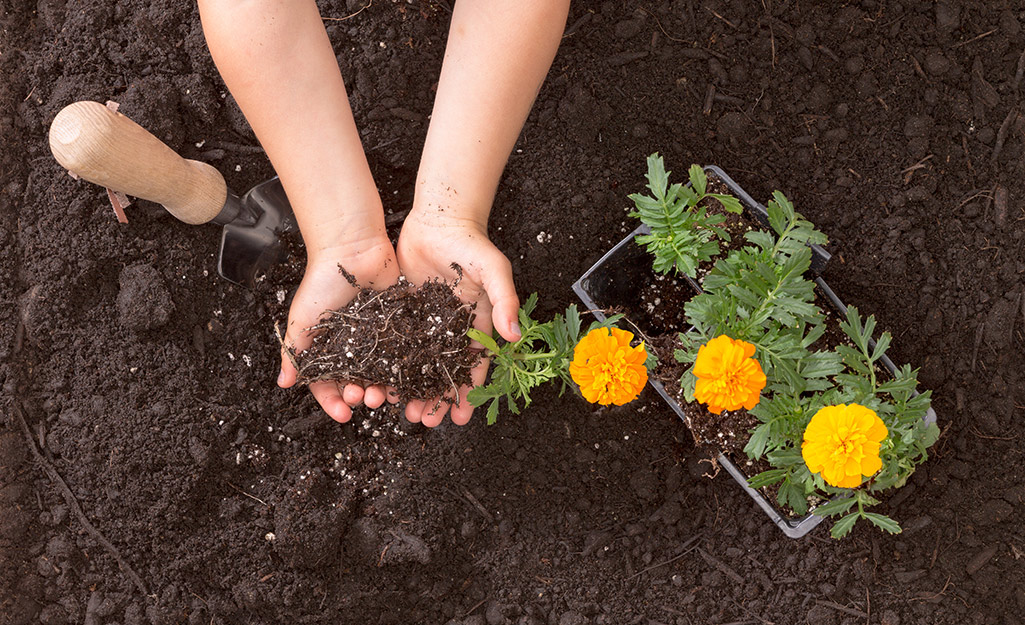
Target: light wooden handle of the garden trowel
(108, 149)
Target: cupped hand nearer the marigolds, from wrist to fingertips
(430, 244)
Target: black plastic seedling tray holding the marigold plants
(612, 282)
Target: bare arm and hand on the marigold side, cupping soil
(498, 56)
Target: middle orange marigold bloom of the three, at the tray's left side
(728, 378)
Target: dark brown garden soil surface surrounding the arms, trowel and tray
(161, 477)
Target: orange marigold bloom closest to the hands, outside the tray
(608, 370)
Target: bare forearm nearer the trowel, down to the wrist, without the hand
(276, 59)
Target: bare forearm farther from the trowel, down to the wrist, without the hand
(498, 56)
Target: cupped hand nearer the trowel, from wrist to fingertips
(324, 288)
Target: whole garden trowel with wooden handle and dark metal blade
(106, 148)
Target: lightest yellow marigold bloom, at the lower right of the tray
(843, 444)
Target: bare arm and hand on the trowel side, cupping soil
(276, 58)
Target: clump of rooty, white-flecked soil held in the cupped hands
(412, 340)
